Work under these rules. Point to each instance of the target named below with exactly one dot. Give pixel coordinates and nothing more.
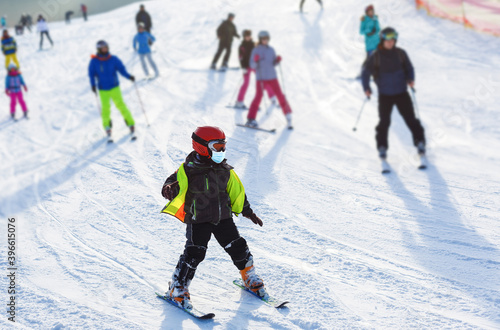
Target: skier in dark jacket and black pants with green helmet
(393, 72)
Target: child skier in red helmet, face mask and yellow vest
(203, 193)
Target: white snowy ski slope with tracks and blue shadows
(349, 247)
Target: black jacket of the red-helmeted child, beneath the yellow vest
(207, 199)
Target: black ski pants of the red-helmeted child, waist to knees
(226, 233)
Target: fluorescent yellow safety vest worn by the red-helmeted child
(234, 188)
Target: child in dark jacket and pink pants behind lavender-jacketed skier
(245, 50)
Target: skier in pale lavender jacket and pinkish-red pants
(263, 60)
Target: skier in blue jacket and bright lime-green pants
(104, 67)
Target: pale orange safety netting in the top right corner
(481, 15)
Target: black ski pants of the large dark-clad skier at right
(405, 107)
